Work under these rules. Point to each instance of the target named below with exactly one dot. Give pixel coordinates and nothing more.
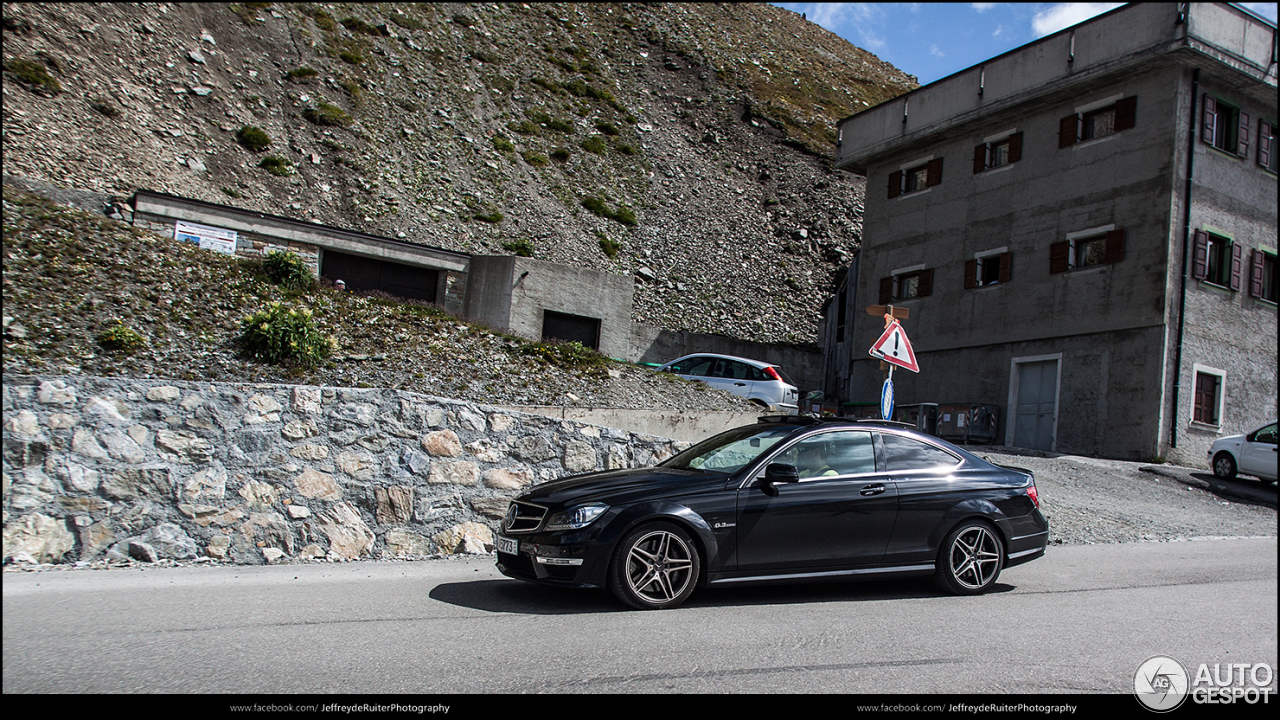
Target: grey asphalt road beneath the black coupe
(1080, 621)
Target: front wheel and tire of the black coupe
(655, 567)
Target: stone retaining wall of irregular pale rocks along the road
(108, 468)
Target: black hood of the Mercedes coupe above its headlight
(615, 487)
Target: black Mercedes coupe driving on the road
(789, 499)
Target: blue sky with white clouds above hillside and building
(934, 40)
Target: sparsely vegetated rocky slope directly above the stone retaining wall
(89, 295)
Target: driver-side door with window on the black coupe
(840, 514)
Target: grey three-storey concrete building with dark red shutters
(1085, 234)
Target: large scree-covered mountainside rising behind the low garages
(684, 144)
